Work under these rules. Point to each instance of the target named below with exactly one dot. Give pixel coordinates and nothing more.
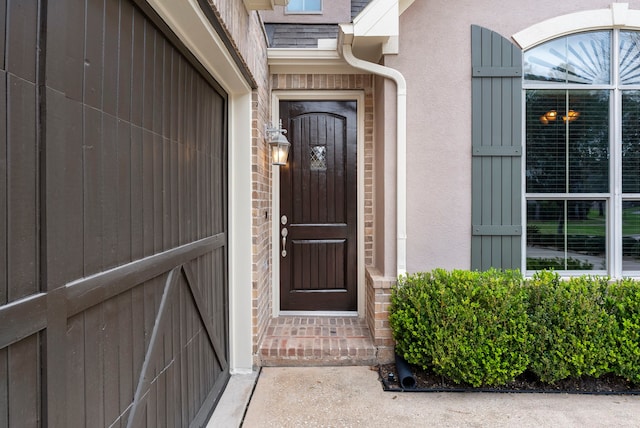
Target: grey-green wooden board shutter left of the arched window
(496, 205)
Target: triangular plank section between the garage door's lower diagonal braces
(181, 365)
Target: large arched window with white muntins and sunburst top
(582, 176)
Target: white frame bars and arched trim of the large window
(565, 25)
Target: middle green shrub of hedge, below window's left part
(572, 333)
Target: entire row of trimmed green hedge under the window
(486, 328)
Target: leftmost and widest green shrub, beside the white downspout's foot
(468, 326)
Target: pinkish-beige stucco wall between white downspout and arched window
(435, 58)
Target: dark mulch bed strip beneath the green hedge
(430, 382)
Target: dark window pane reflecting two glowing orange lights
(567, 144)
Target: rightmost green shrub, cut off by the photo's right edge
(623, 301)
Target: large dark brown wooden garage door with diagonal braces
(124, 189)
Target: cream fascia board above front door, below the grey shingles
(288, 60)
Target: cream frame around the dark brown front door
(358, 97)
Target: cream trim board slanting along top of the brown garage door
(188, 22)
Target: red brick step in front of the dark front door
(317, 341)
